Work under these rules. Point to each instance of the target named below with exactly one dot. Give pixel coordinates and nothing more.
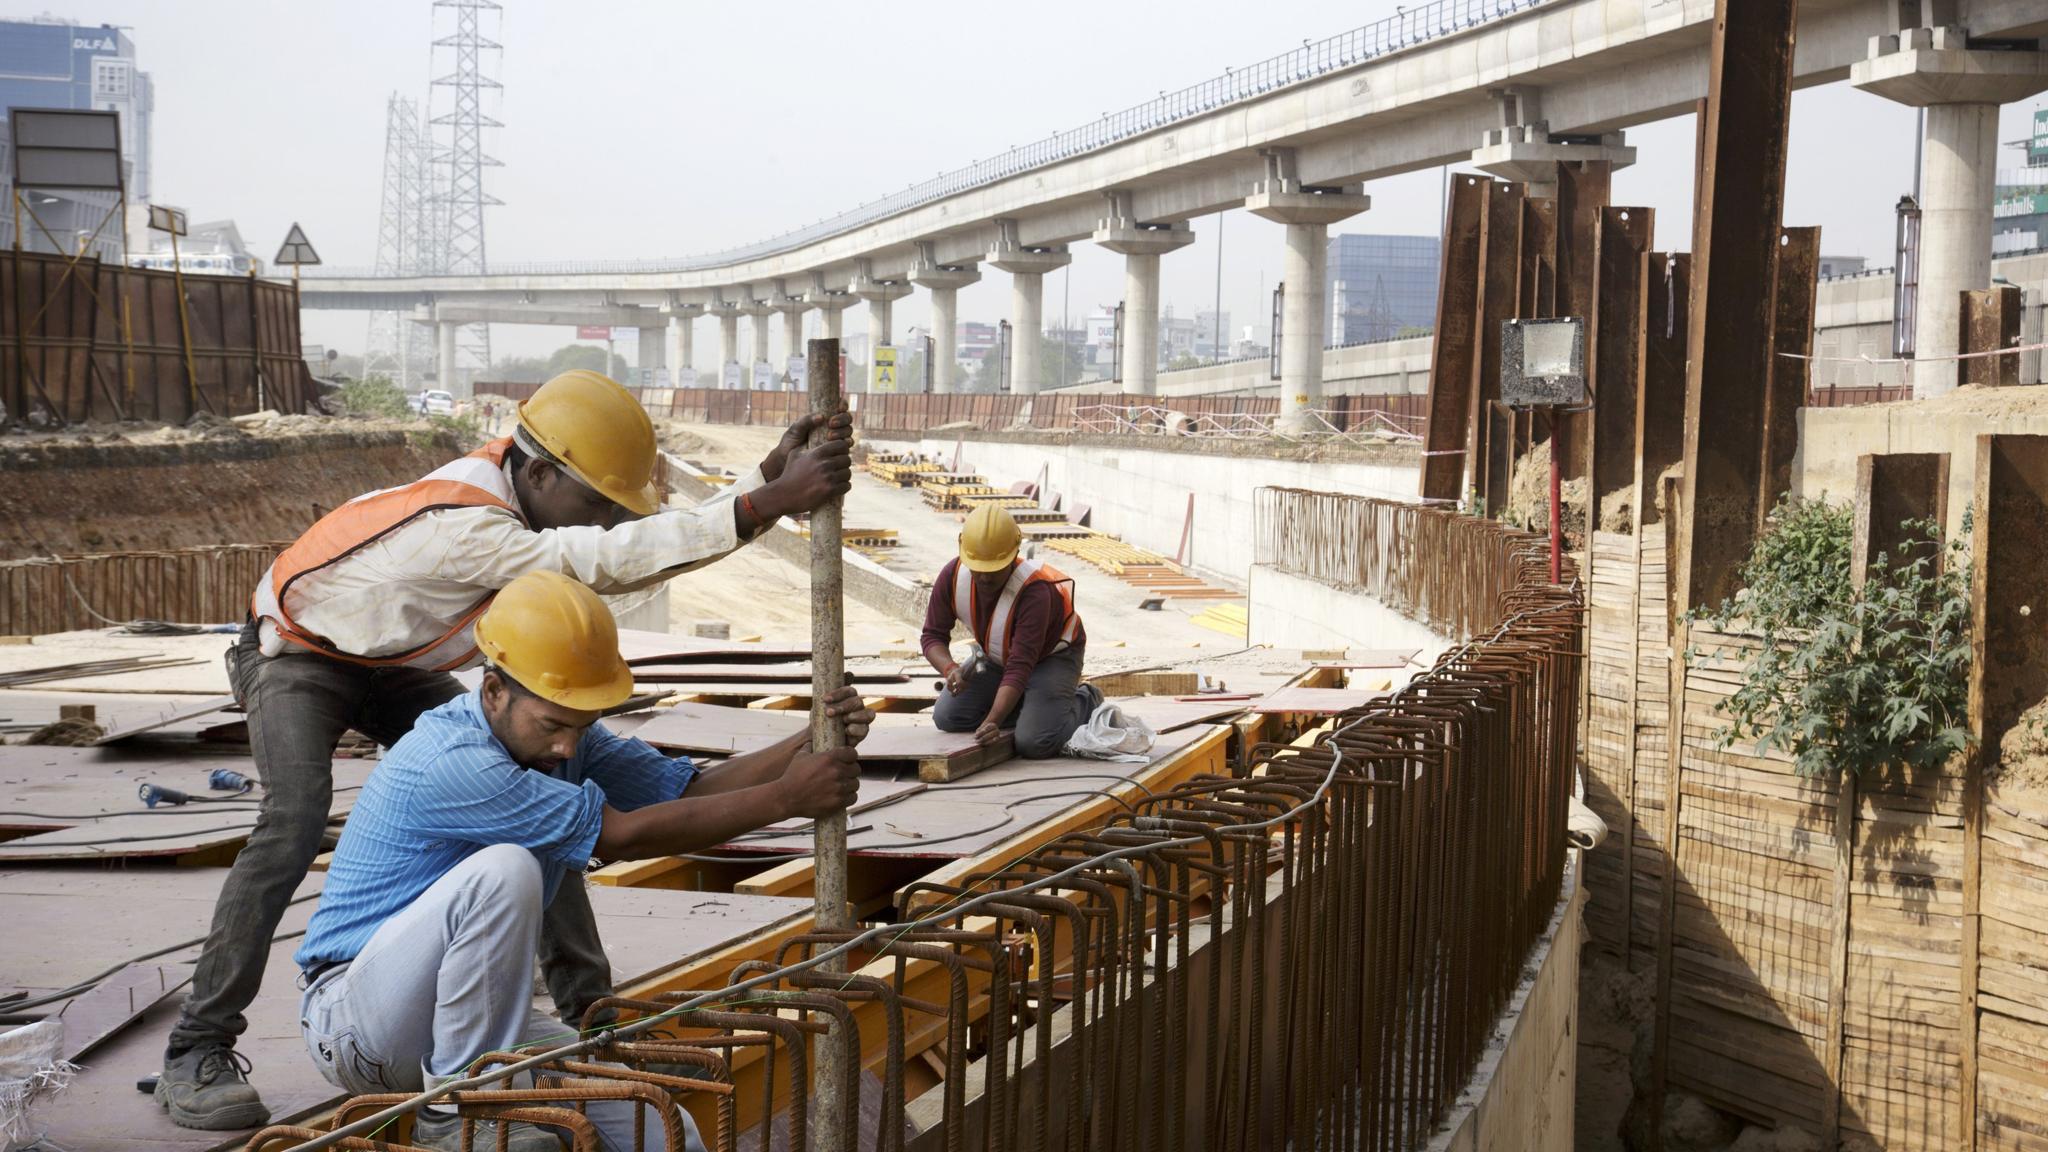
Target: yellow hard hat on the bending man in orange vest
(599, 431)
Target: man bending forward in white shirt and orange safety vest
(361, 622)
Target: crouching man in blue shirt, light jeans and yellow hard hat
(423, 950)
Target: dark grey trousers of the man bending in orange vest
(300, 704)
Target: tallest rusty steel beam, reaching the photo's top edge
(1734, 294)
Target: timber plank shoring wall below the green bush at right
(1811, 977)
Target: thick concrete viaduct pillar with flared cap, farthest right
(1961, 87)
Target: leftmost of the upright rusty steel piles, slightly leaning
(1457, 327)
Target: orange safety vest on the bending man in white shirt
(470, 483)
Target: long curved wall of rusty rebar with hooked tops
(1310, 952)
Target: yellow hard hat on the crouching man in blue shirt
(558, 641)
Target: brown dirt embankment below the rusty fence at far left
(210, 483)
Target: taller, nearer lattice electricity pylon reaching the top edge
(460, 159)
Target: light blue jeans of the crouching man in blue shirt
(443, 983)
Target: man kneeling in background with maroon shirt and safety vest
(1021, 614)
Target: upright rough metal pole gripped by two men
(828, 671)
